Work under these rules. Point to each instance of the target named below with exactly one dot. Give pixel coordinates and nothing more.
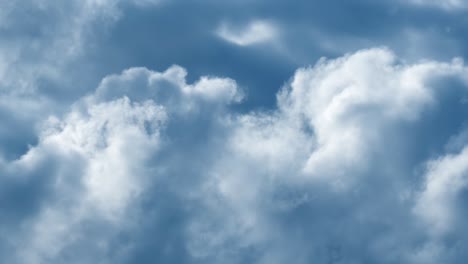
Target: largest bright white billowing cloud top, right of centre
(348, 102)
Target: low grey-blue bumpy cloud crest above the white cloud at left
(169, 86)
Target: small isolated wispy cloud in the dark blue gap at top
(255, 32)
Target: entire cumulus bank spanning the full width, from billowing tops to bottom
(151, 167)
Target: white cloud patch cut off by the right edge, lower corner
(440, 206)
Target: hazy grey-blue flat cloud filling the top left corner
(44, 39)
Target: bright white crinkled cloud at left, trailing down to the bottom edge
(101, 152)
